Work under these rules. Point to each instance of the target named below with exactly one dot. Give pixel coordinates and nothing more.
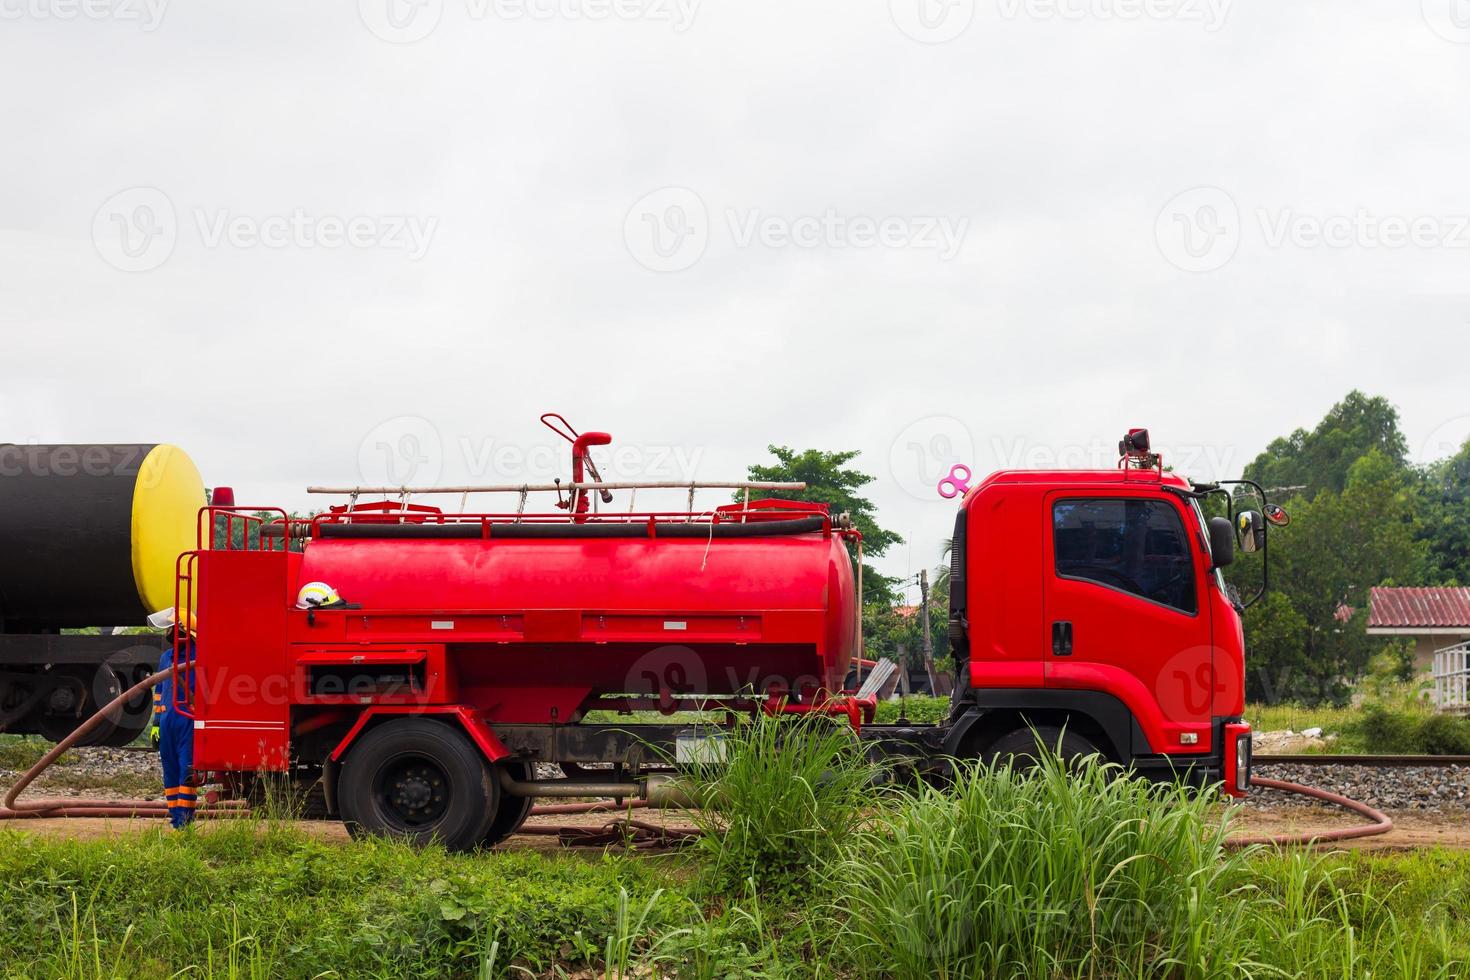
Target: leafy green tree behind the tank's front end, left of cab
(830, 481)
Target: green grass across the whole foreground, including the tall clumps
(806, 872)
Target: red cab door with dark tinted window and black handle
(1125, 610)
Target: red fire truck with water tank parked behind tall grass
(1089, 610)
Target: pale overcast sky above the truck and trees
(330, 243)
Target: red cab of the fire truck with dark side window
(1090, 606)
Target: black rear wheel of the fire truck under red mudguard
(421, 781)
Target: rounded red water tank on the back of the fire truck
(545, 621)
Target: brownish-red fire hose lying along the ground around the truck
(637, 832)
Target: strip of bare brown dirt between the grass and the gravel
(1412, 831)
